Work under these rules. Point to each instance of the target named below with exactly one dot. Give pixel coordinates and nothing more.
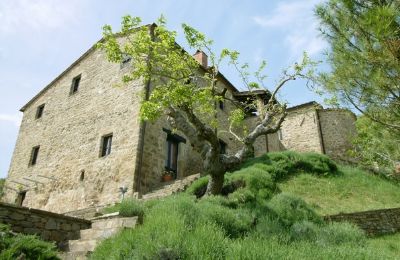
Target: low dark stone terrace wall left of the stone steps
(49, 226)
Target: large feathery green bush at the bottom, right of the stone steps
(173, 229)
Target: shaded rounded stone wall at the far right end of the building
(338, 128)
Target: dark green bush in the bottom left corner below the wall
(22, 246)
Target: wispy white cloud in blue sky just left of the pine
(297, 21)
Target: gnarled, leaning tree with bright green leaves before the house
(187, 93)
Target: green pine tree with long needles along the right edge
(364, 37)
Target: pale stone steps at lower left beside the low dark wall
(102, 228)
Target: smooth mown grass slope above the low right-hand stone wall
(354, 190)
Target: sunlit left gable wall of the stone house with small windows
(69, 173)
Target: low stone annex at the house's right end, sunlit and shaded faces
(311, 128)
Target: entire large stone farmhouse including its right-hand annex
(81, 141)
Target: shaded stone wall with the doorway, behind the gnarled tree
(189, 161)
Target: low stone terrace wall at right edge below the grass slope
(375, 222)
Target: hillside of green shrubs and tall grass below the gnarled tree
(252, 219)
